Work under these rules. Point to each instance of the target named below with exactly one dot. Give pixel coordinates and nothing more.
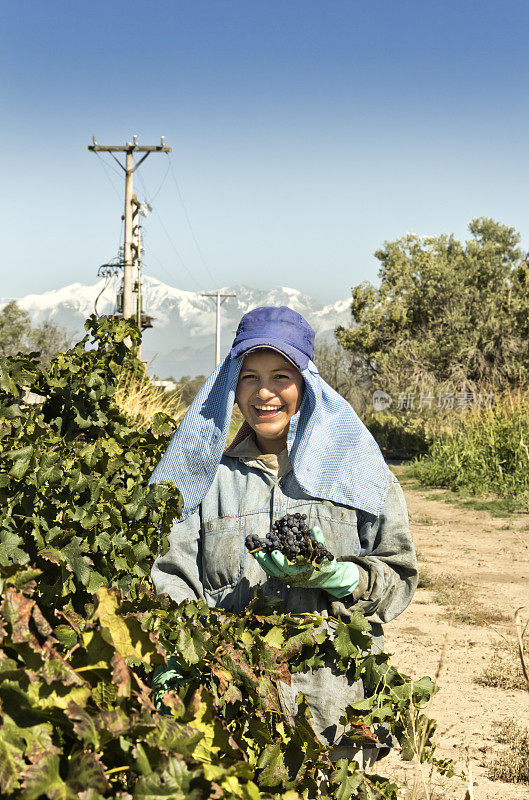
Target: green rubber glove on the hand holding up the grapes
(338, 578)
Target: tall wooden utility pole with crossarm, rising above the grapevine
(129, 169)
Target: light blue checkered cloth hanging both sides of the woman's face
(333, 455)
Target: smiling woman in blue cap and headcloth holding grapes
(302, 461)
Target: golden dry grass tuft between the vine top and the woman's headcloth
(139, 399)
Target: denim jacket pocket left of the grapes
(222, 553)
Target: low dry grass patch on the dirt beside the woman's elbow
(457, 596)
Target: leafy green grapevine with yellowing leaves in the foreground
(81, 630)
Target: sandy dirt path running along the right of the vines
(478, 567)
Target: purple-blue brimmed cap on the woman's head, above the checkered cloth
(279, 328)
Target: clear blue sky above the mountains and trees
(304, 134)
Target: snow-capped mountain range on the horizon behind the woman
(182, 341)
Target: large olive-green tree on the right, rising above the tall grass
(446, 313)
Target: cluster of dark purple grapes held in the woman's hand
(291, 536)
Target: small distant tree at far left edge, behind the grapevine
(18, 336)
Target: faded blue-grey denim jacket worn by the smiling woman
(207, 559)
